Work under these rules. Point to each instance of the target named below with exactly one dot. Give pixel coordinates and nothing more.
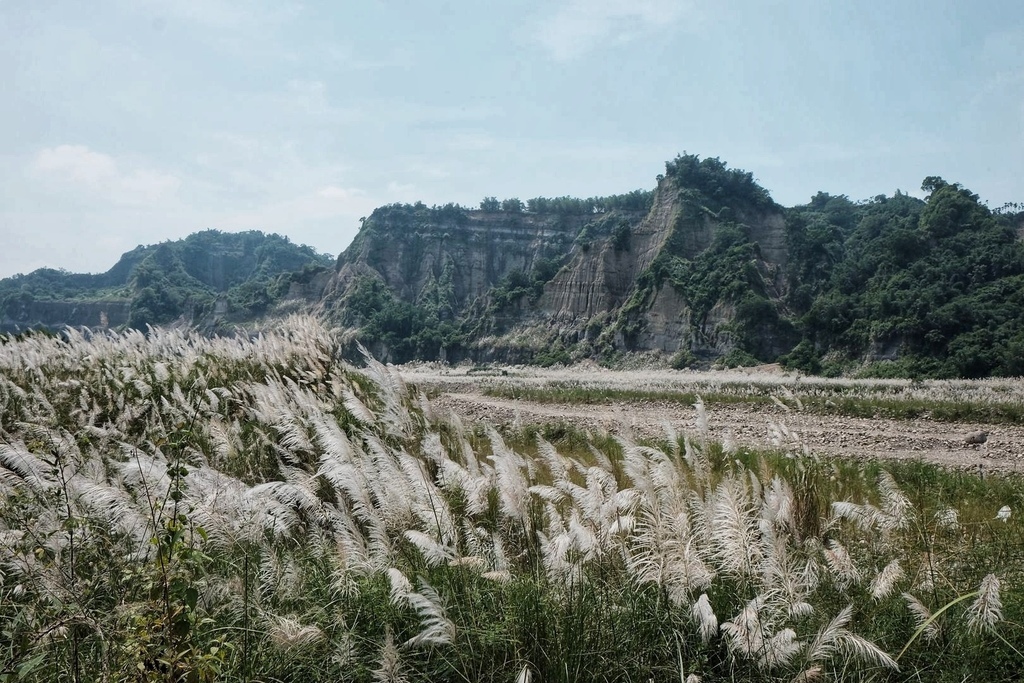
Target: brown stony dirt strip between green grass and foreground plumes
(759, 426)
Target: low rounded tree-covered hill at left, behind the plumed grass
(206, 279)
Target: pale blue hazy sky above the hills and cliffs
(130, 122)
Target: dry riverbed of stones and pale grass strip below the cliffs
(759, 425)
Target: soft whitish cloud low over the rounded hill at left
(78, 169)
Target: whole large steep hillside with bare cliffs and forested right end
(705, 269)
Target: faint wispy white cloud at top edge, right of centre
(581, 25)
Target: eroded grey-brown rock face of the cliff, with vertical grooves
(617, 280)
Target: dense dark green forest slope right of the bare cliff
(940, 281)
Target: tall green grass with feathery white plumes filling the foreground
(255, 509)
